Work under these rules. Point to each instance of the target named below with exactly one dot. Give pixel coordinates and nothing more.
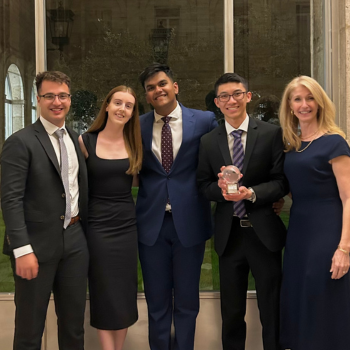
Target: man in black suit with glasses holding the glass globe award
(249, 236)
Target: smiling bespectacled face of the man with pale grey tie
(54, 111)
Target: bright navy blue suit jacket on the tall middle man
(190, 210)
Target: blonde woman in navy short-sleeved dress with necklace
(315, 296)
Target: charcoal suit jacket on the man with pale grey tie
(32, 192)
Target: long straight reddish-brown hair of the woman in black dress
(131, 131)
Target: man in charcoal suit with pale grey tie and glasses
(44, 206)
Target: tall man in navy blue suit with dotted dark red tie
(174, 220)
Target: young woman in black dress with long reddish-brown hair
(113, 151)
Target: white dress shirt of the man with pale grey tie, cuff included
(73, 170)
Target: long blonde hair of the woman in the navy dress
(325, 114)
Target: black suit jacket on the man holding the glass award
(262, 170)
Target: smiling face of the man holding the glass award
(234, 110)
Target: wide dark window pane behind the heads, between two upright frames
(111, 42)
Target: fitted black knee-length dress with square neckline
(112, 241)
